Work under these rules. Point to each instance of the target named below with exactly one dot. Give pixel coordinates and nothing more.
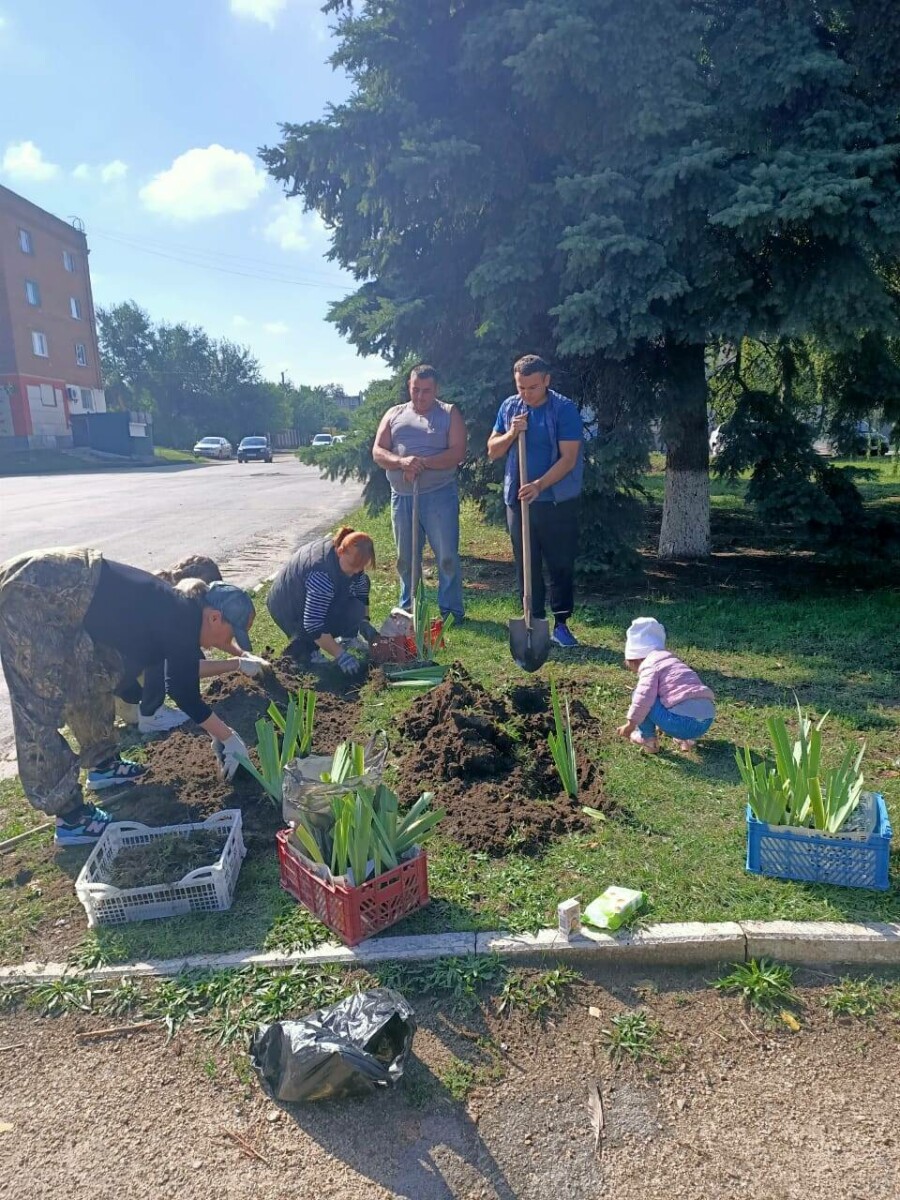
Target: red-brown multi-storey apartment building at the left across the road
(50, 364)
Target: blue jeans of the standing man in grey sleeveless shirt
(440, 523)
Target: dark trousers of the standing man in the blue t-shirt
(555, 544)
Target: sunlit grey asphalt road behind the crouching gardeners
(249, 518)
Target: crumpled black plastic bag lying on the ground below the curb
(349, 1049)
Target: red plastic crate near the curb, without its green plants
(355, 914)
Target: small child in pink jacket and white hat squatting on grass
(669, 695)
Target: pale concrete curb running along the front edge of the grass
(691, 944)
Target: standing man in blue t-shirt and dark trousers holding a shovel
(555, 459)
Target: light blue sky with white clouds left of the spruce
(145, 122)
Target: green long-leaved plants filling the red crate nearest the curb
(368, 829)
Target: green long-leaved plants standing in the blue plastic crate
(797, 790)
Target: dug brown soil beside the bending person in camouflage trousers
(183, 782)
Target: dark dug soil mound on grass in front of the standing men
(489, 764)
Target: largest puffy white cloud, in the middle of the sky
(205, 184)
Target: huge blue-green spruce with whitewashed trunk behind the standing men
(608, 183)
